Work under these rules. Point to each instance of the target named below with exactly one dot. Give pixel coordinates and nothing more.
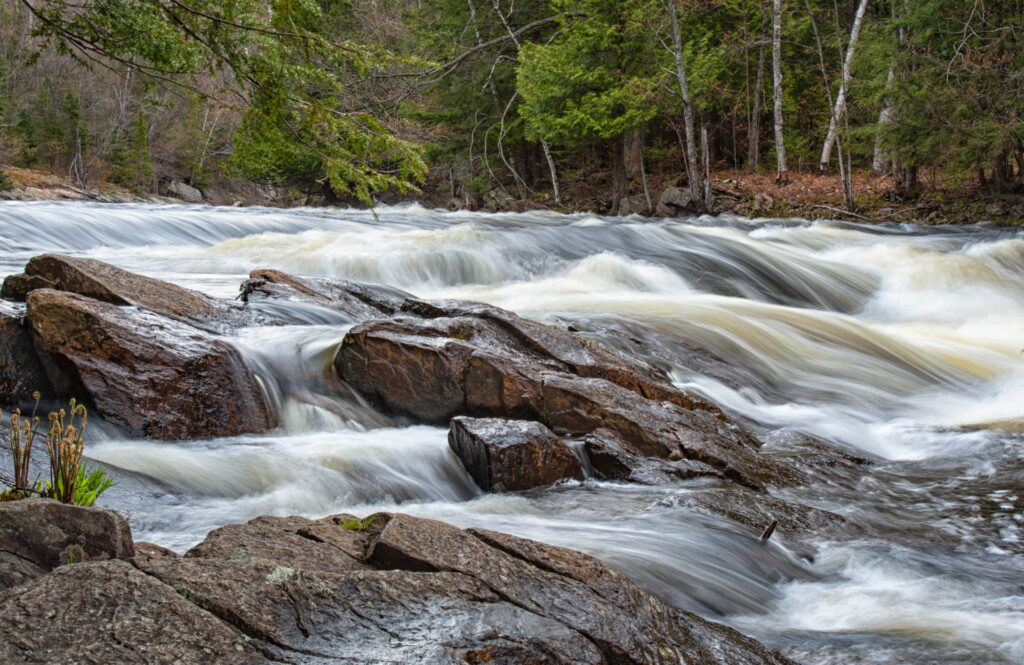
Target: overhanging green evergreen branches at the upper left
(285, 68)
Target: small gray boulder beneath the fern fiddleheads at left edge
(39, 535)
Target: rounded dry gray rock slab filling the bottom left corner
(110, 612)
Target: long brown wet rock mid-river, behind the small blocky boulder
(479, 361)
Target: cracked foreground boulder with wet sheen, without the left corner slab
(424, 592)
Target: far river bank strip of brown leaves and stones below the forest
(803, 196)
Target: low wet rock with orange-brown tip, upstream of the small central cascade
(356, 301)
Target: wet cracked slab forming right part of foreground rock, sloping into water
(626, 625)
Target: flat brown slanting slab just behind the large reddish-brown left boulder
(111, 284)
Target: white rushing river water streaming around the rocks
(903, 345)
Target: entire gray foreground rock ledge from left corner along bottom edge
(389, 590)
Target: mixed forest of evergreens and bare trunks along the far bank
(583, 104)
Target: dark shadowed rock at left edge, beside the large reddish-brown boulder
(21, 372)
